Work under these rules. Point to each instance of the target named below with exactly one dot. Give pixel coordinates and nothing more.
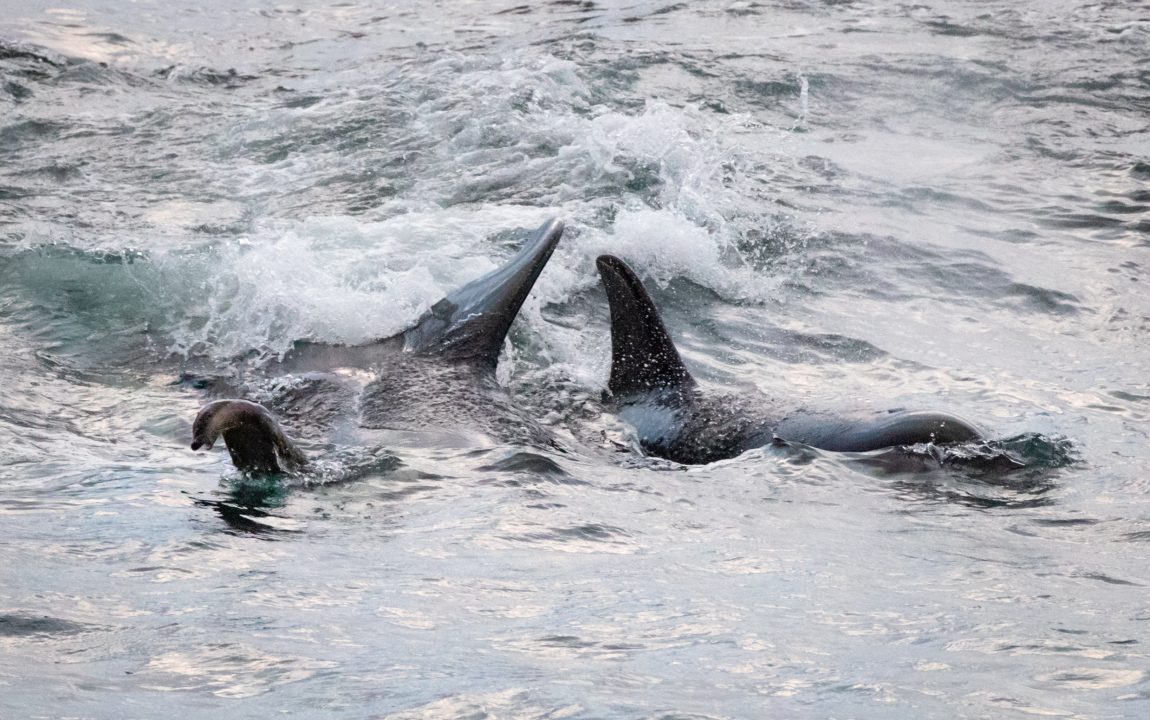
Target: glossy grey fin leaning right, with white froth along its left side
(471, 324)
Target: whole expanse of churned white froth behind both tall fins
(664, 188)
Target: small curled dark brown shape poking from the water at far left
(252, 435)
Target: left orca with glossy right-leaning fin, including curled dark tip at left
(439, 376)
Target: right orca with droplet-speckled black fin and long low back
(653, 390)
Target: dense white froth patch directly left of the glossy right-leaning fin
(335, 280)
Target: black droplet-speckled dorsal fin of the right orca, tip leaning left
(643, 358)
